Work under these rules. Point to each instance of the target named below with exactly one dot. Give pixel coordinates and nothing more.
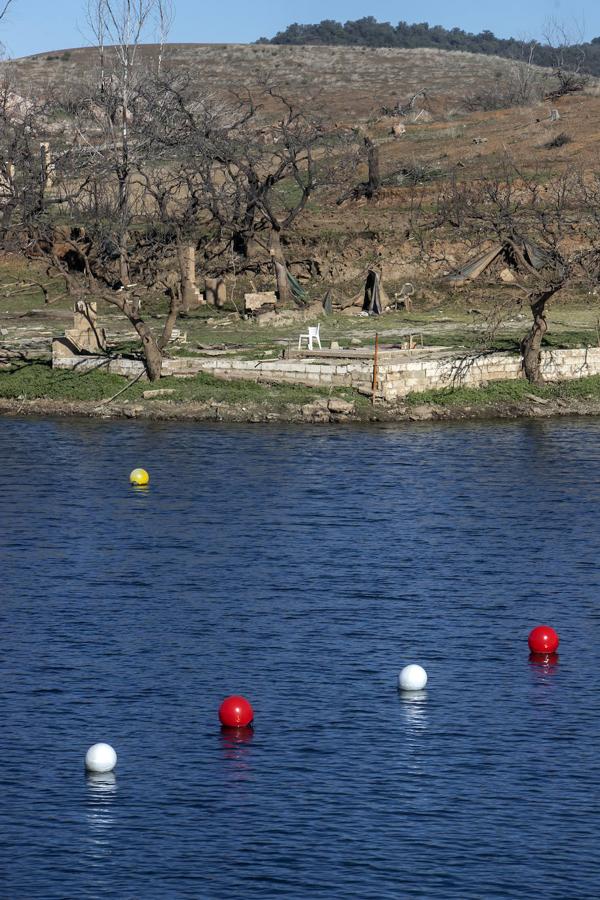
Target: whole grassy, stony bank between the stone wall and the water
(39, 382)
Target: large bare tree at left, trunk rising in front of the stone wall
(71, 221)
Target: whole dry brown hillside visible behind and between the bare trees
(449, 137)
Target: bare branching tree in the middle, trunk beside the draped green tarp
(258, 170)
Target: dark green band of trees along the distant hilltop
(368, 32)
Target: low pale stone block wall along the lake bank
(408, 373)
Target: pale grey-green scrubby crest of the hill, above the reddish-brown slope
(346, 82)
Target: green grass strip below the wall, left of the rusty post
(40, 381)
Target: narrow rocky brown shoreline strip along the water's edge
(320, 411)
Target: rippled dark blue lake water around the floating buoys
(302, 567)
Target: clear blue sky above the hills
(37, 25)
